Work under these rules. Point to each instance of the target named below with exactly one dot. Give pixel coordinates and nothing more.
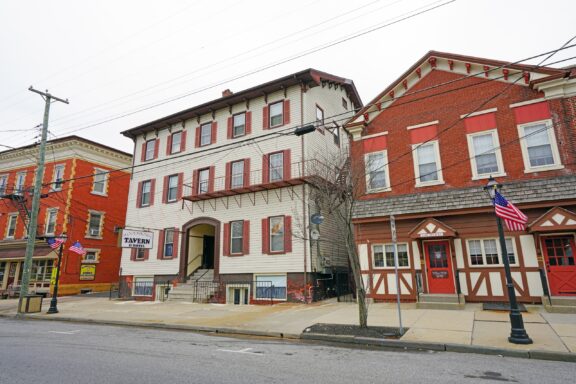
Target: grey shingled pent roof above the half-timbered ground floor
(532, 191)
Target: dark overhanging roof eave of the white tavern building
(309, 76)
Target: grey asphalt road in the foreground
(58, 352)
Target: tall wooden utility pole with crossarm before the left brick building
(36, 196)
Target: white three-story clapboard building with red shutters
(223, 187)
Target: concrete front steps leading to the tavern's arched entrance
(198, 289)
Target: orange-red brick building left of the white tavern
(80, 199)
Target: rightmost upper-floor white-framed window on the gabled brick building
(539, 147)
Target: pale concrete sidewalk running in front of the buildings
(471, 327)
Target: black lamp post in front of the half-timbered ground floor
(518, 334)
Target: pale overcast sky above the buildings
(124, 63)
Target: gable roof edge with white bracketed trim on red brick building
(466, 65)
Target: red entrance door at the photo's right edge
(559, 252)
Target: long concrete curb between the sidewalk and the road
(338, 339)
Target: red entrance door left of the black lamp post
(438, 261)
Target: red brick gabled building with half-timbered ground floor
(430, 141)
